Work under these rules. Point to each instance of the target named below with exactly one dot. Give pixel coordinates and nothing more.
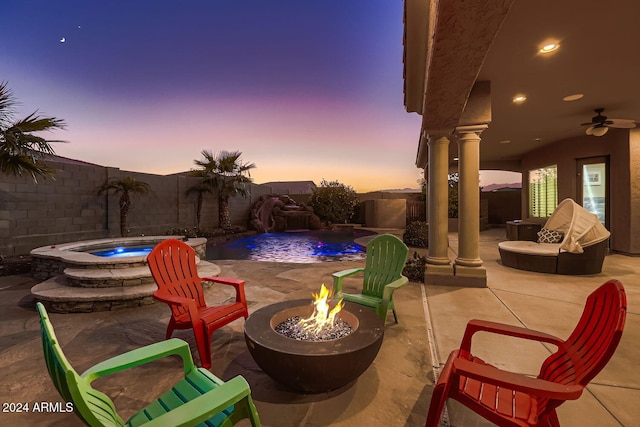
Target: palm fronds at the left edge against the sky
(20, 150)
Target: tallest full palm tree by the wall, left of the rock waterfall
(226, 174)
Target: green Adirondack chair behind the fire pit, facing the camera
(386, 257)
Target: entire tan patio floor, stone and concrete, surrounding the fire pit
(394, 391)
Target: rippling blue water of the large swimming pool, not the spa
(299, 247)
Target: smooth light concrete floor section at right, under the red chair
(550, 303)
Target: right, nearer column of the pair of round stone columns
(468, 262)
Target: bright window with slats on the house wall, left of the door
(543, 191)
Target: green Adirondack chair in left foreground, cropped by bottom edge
(198, 398)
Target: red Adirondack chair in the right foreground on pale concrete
(510, 399)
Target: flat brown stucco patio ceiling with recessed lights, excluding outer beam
(597, 57)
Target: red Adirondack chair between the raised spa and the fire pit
(173, 266)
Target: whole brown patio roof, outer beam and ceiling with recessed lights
(450, 45)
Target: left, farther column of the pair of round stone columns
(438, 259)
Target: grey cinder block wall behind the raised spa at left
(68, 208)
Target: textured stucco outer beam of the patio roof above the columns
(444, 49)
